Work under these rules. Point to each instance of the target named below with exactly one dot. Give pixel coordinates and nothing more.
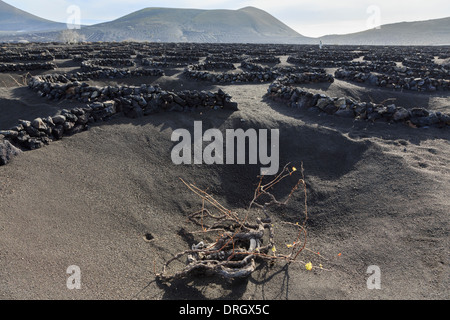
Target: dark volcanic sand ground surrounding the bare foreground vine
(378, 194)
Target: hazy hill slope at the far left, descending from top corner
(16, 20)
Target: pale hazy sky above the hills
(312, 18)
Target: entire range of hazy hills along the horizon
(245, 25)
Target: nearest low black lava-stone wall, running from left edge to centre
(132, 102)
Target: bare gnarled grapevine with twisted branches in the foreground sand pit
(240, 242)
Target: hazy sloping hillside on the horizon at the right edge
(430, 32)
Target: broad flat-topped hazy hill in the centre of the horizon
(247, 25)
